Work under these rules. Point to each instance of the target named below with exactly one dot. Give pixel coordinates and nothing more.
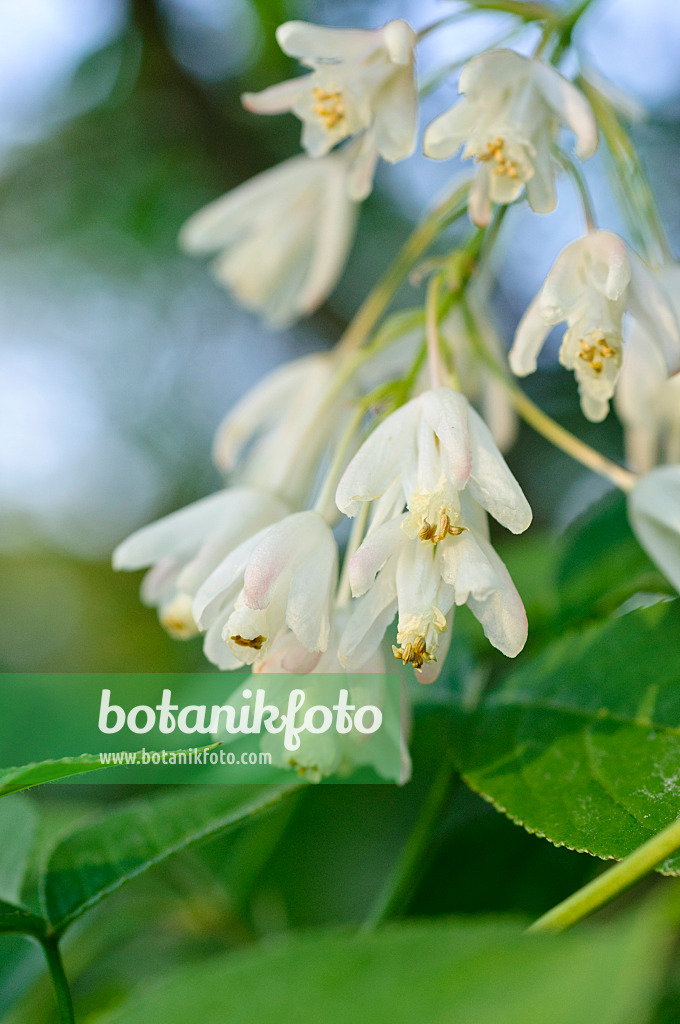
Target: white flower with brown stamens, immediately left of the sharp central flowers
(284, 576)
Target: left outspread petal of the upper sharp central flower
(380, 459)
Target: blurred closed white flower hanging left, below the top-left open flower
(282, 238)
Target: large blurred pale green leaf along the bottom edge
(465, 971)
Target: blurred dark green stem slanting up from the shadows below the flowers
(403, 882)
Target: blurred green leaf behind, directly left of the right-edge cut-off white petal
(602, 564)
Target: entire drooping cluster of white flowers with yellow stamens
(256, 568)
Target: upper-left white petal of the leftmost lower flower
(178, 535)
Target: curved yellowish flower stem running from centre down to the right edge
(544, 424)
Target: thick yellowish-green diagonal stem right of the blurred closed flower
(421, 239)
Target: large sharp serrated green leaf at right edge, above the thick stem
(582, 744)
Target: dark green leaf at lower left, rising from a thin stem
(100, 858)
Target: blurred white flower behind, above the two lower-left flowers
(275, 437)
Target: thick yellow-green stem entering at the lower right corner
(611, 883)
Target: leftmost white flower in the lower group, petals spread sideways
(186, 546)
